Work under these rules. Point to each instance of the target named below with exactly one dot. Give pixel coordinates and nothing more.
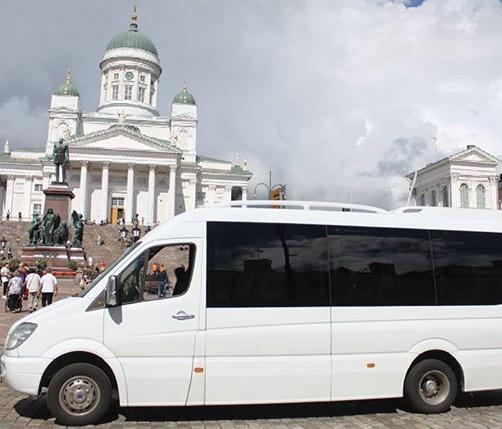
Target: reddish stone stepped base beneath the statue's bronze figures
(57, 257)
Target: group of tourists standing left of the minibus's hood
(33, 284)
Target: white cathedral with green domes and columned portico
(126, 160)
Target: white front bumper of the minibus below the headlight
(23, 374)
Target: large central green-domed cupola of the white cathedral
(130, 71)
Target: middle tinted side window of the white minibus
(380, 266)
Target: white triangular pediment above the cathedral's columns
(121, 138)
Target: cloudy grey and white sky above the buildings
(338, 98)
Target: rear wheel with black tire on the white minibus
(430, 387)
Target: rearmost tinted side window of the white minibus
(468, 267)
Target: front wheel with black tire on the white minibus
(84, 380)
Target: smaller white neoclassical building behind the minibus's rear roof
(466, 179)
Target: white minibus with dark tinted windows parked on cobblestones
(259, 303)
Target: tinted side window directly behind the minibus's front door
(266, 265)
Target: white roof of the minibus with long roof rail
(302, 212)
